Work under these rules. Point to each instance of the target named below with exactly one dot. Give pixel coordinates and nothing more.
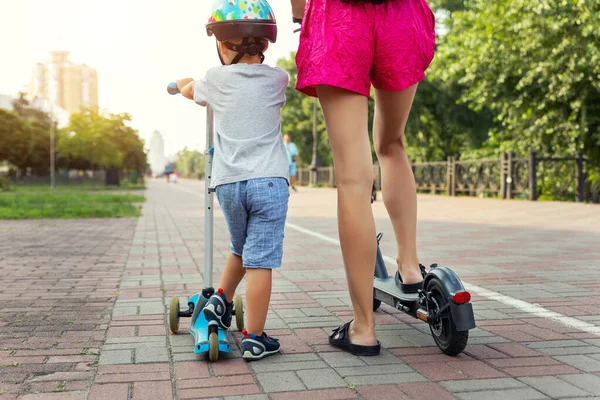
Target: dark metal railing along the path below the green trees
(567, 178)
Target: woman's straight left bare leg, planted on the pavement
(346, 117)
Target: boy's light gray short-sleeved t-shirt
(247, 101)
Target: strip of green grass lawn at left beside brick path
(29, 204)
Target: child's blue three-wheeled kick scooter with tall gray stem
(208, 337)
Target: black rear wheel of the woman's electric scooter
(445, 335)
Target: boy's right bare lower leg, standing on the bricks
(258, 296)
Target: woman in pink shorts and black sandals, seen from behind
(345, 46)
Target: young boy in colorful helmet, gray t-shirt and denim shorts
(250, 166)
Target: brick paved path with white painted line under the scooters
(83, 306)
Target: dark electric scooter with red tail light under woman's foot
(443, 303)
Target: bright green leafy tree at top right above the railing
(536, 64)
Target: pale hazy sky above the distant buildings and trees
(137, 48)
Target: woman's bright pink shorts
(352, 46)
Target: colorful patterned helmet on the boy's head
(242, 19)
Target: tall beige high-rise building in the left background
(69, 85)
